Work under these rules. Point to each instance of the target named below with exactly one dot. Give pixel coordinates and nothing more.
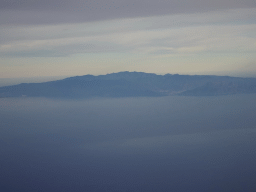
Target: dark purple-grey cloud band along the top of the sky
(77, 11)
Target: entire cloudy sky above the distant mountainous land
(43, 38)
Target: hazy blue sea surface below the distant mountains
(158, 144)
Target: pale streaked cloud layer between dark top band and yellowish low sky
(178, 34)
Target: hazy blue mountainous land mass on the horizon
(133, 84)
